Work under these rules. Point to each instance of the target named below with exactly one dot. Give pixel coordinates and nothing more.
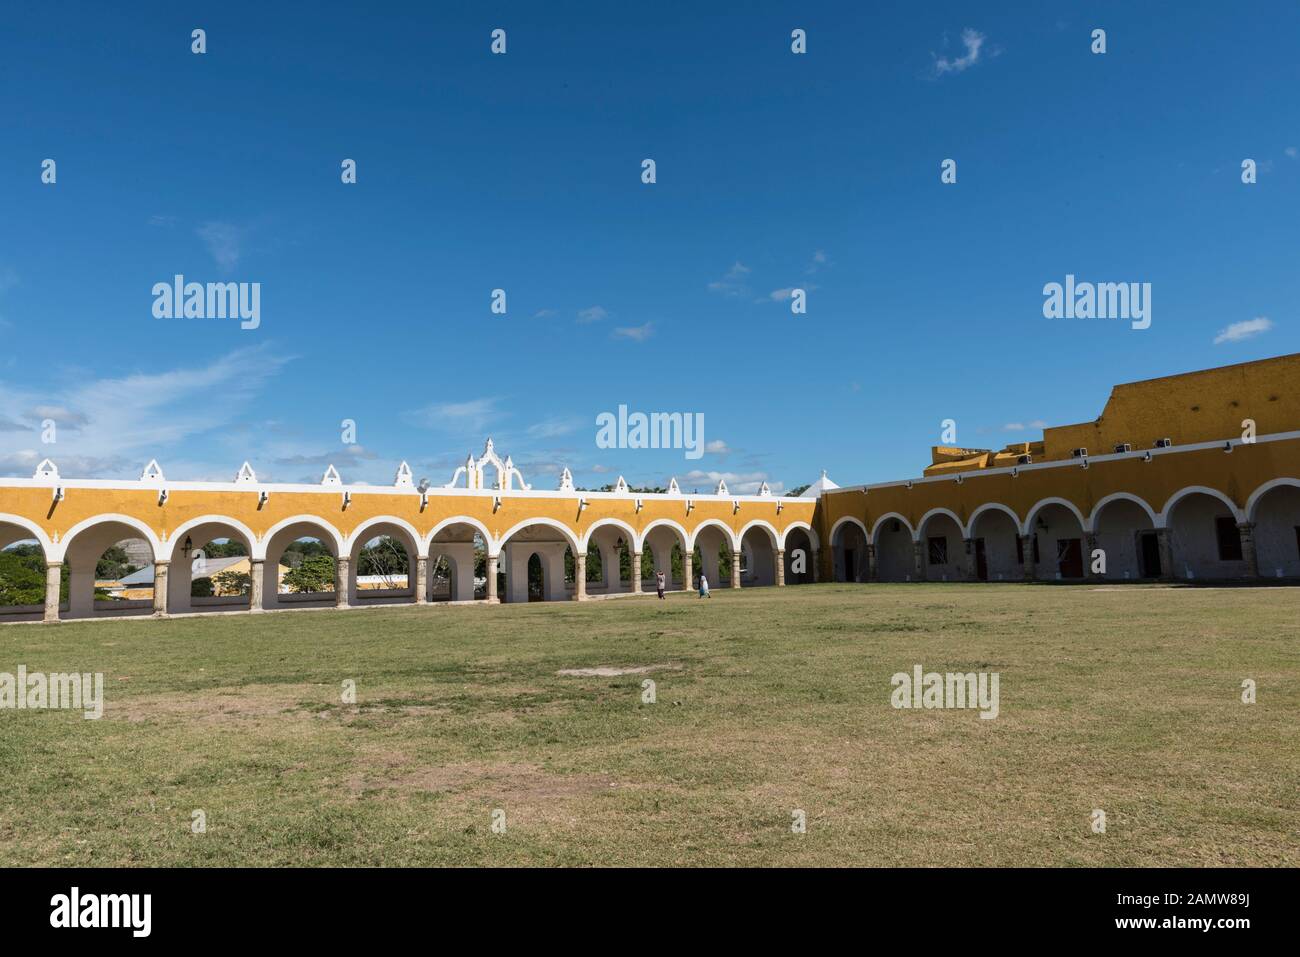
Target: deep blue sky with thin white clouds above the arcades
(523, 172)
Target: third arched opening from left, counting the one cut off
(211, 569)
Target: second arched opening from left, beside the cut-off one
(111, 569)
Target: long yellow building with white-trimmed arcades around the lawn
(1193, 478)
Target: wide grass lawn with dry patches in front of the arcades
(1126, 700)
